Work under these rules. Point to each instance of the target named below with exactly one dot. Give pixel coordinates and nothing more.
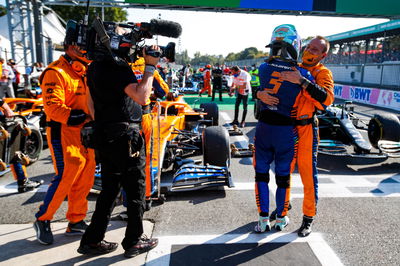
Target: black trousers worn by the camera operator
(118, 169)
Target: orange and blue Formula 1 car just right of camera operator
(180, 132)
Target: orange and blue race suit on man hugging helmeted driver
(318, 95)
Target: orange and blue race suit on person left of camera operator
(65, 105)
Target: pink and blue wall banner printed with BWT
(372, 96)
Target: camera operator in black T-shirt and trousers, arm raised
(117, 99)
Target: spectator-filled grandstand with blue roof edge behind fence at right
(368, 57)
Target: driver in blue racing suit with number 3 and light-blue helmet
(276, 135)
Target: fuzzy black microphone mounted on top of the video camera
(162, 27)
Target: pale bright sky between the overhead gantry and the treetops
(221, 33)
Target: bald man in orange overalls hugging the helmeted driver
(322, 93)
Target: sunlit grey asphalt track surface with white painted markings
(357, 221)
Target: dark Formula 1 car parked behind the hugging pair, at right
(340, 132)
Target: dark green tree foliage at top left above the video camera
(77, 13)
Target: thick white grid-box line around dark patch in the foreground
(161, 254)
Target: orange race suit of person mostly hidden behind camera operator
(160, 88)
